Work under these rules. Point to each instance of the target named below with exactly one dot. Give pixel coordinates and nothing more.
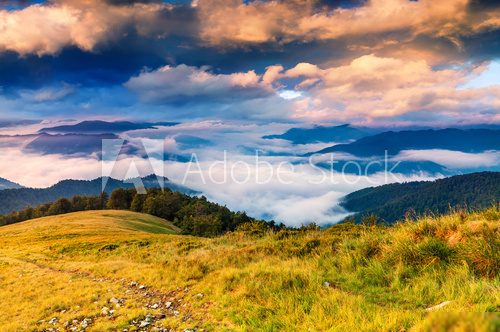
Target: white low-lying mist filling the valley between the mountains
(234, 169)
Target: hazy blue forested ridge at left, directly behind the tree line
(17, 199)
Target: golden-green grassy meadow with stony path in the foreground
(124, 271)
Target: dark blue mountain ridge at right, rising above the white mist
(469, 140)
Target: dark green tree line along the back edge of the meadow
(193, 215)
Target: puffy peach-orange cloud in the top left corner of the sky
(50, 27)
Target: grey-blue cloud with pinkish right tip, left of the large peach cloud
(186, 83)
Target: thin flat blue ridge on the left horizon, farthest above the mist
(104, 127)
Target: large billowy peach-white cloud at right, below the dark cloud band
(375, 89)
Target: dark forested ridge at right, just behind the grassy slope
(392, 201)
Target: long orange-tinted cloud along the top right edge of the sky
(232, 22)
